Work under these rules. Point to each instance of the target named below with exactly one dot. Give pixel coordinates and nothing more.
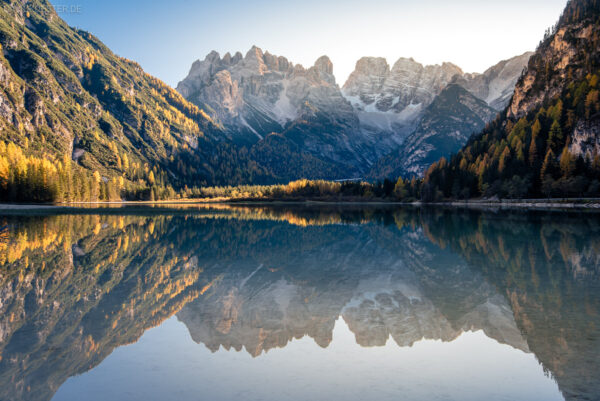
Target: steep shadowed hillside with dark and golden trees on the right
(547, 143)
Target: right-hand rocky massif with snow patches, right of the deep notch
(416, 103)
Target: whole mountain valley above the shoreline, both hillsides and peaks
(81, 123)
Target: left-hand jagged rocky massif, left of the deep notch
(261, 94)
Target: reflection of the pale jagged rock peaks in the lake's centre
(265, 303)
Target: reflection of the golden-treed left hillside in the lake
(96, 281)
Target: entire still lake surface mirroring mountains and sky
(299, 303)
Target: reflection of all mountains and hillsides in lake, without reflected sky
(73, 287)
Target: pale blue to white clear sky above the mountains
(166, 37)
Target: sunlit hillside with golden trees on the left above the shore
(81, 123)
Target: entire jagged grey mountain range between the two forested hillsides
(344, 131)
